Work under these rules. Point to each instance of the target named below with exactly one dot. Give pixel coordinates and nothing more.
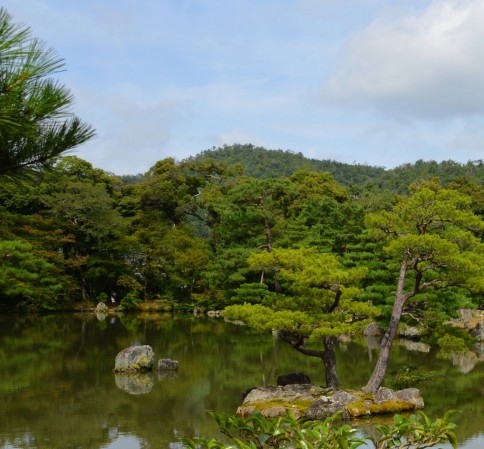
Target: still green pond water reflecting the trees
(58, 391)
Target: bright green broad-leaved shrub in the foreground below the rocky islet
(417, 431)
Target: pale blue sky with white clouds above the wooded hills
(377, 82)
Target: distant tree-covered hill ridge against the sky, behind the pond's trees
(259, 162)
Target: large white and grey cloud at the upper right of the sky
(426, 63)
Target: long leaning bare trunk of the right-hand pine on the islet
(380, 369)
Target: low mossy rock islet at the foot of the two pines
(316, 402)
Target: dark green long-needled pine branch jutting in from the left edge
(36, 126)
